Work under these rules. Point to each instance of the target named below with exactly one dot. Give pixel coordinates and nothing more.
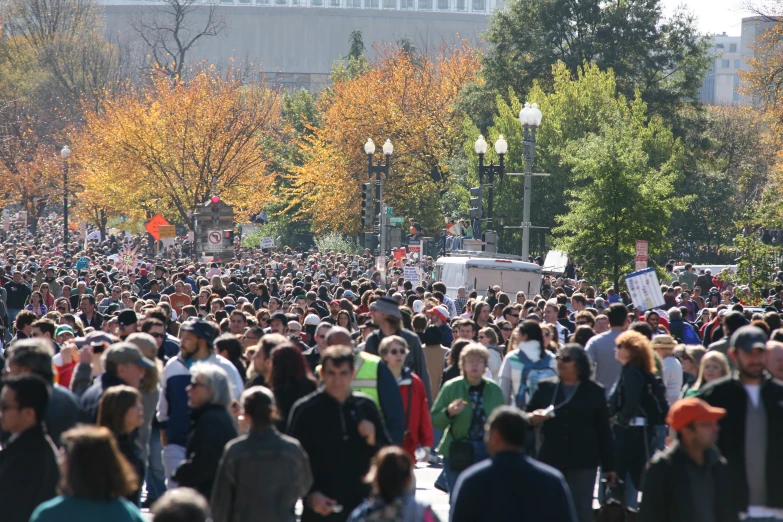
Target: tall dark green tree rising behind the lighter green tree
(664, 58)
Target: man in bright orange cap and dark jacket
(690, 481)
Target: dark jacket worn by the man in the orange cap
(668, 496)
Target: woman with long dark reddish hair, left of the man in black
(291, 379)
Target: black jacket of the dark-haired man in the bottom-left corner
(28, 474)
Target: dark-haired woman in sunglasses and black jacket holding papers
(566, 405)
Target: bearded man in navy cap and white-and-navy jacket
(198, 338)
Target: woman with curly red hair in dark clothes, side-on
(627, 406)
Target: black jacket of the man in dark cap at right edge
(729, 393)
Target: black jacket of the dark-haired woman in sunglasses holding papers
(578, 436)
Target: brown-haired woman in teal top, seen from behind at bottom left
(95, 478)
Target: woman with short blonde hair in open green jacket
(462, 408)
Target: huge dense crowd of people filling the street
(233, 390)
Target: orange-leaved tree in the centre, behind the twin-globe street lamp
(409, 99)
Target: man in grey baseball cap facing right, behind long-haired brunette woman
(123, 364)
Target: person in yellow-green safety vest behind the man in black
(374, 379)
